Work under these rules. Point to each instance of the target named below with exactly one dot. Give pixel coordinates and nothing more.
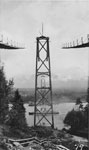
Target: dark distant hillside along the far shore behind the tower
(60, 95)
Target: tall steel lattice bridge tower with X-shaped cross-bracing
(43, 87)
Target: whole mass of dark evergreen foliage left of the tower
(14, 116)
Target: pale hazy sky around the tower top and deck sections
(64, 21)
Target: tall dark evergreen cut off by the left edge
(5, 89)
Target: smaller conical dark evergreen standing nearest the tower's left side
(17, 113)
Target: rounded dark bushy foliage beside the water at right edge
(77, 119)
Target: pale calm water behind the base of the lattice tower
(62, 108)
